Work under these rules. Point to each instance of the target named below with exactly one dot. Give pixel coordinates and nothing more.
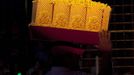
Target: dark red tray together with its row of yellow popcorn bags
(62, 22)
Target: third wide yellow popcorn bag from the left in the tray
(77, 16)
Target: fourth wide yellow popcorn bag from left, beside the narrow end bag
(94, 17)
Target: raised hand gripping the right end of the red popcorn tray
(104, 41)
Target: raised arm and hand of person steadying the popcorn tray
(105, 48)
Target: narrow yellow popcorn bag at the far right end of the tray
(106, 16)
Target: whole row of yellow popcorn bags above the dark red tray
(85, 15)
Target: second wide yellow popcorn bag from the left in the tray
(61, 14)
